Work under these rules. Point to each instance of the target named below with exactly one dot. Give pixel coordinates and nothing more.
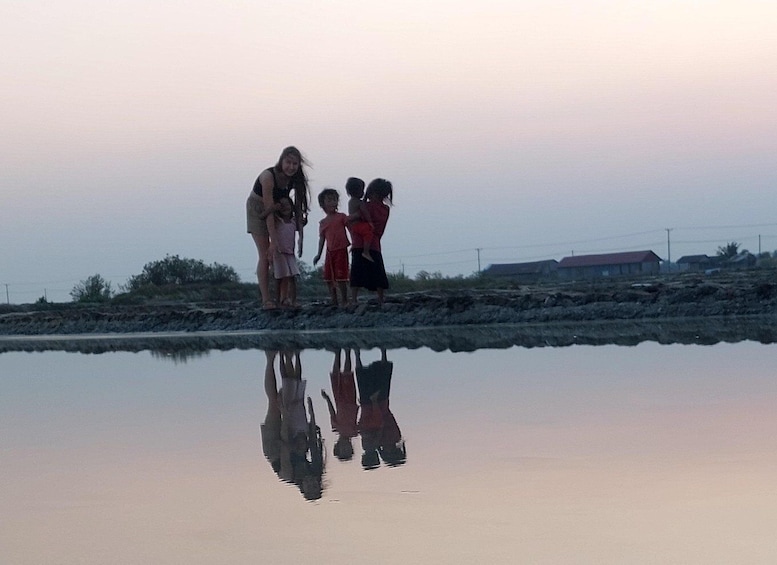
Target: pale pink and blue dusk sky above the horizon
(512, 130)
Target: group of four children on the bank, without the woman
(333, 234)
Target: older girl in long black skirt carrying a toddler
(372, 274)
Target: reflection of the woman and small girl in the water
(291, 440)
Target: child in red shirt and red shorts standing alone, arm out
(331, 231)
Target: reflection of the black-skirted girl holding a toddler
(380, 433)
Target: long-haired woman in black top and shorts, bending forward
(287, 176)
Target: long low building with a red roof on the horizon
(609, 265)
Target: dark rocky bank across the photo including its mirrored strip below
(686, 309)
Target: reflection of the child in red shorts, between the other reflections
(343, 410)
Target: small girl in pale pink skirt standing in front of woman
(284, 264)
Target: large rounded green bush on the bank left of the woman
(174, 270)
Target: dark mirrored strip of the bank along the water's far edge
(700, 331)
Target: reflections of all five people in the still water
(291, 439)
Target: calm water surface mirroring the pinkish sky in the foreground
(647, 454)
